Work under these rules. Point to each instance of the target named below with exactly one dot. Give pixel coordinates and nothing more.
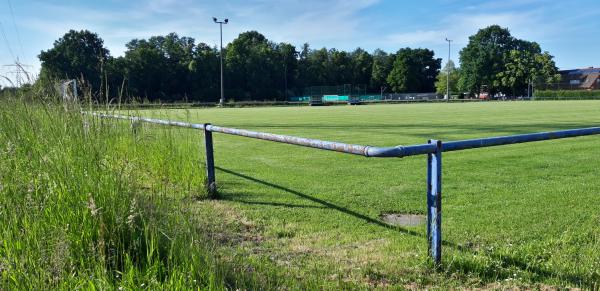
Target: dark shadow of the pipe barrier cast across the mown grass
(489, 274)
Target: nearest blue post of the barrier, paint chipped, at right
(434, 202)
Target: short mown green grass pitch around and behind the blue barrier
(523, 214)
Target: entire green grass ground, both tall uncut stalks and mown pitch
(89, 203)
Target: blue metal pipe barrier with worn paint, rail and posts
(433, 149)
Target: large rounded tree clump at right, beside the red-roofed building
(496, 62)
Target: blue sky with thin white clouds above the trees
(567, 29)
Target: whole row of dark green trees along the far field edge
(175, 68)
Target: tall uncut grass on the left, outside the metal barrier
(89, 203)
